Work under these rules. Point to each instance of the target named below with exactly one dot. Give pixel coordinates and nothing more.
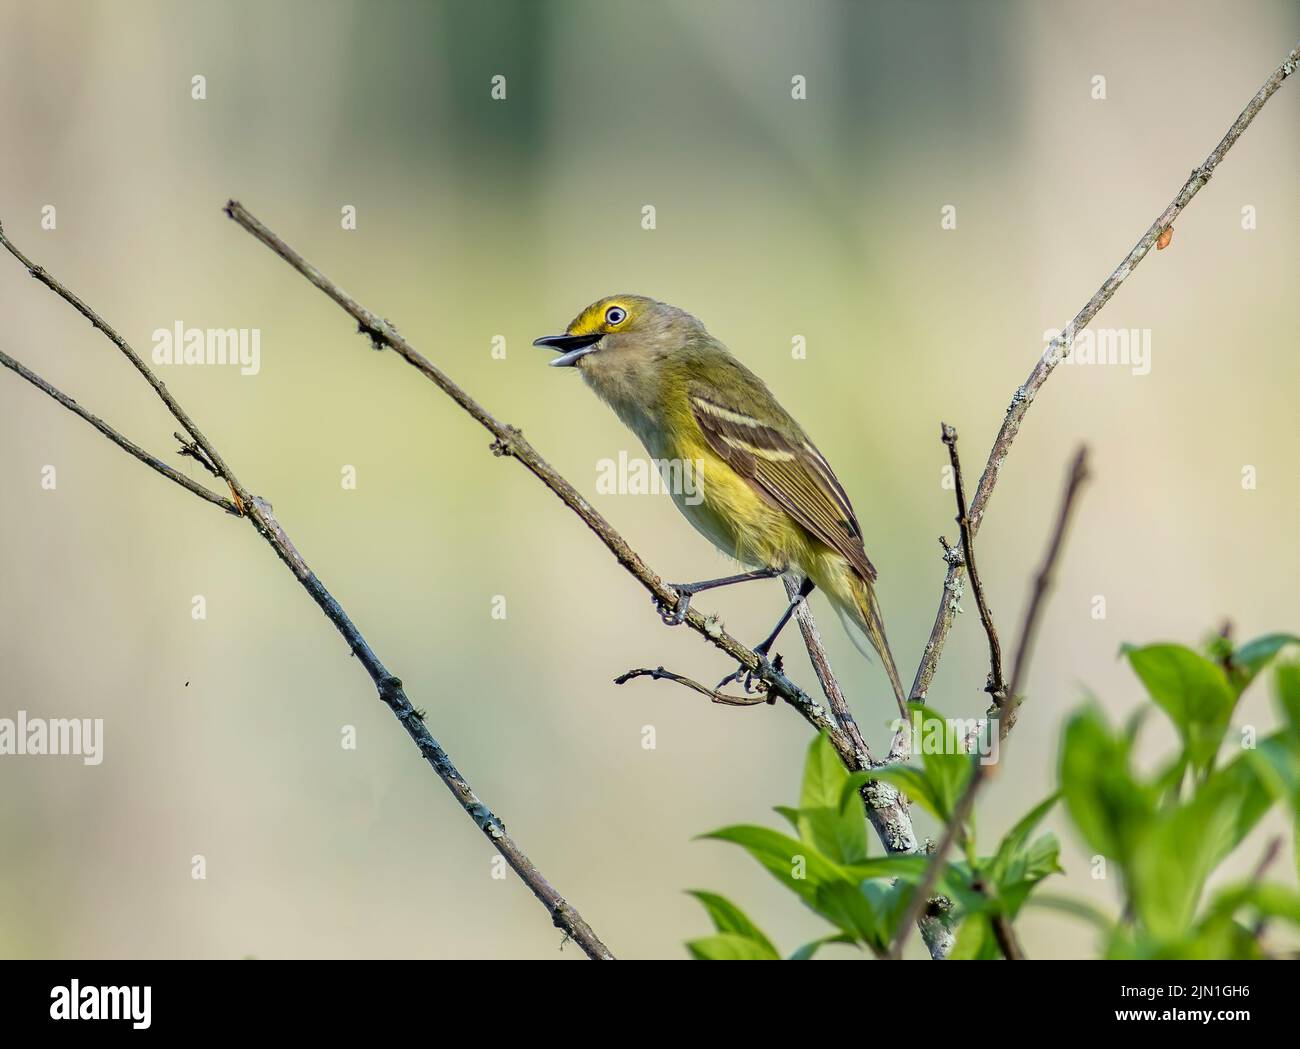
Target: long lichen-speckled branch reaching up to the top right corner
(1060, 348)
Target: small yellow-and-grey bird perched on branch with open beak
(762, 492)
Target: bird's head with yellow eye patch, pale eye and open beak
(621, 331)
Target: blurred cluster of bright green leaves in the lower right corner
(1164, 834)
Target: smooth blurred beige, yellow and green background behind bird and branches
(480, 218)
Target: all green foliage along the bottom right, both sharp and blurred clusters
(1164, 833)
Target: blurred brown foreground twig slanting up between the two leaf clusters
(981, 774)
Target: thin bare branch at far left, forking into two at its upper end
(259, 513)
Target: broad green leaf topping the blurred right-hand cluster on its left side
(1193, 691)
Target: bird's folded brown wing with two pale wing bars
(790, 471)
